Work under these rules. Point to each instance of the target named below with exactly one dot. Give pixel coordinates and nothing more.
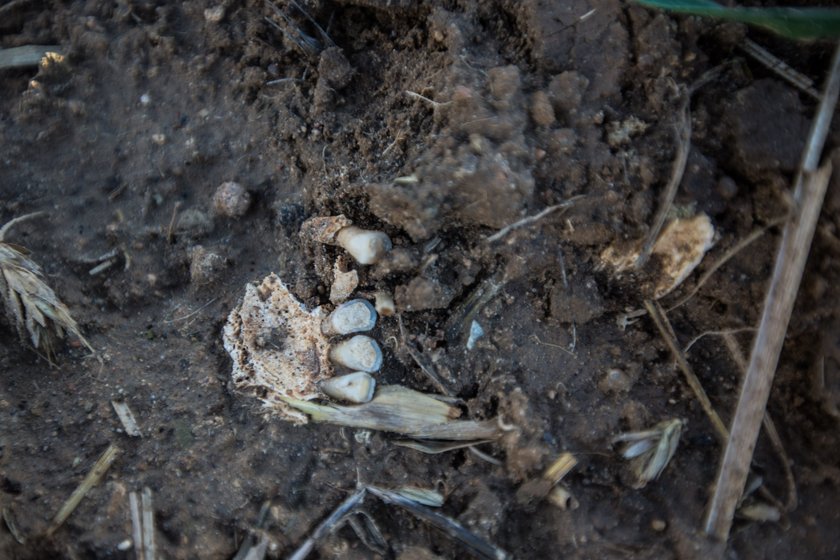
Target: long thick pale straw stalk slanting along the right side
(808, 195)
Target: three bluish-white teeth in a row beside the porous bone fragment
(360, 354)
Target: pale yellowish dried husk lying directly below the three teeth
(404, 411)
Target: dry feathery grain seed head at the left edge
(31, 305)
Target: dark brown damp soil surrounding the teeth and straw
(516, 106)
